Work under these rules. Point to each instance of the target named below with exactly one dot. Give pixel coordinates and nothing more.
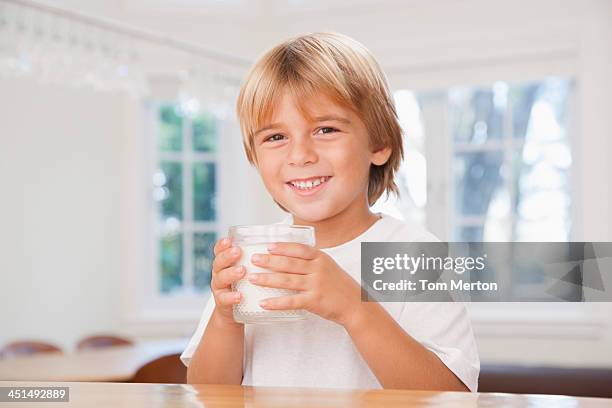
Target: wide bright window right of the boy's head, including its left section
(496, 160)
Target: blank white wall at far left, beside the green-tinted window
(60, 157)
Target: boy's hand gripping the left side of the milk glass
(224, 273)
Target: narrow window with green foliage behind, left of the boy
(185, 196)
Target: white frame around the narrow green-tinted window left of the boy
(145, 311)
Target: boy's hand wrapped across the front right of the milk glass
(324, 288)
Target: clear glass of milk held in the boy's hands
(254, 239)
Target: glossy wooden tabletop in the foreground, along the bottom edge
(227, 396)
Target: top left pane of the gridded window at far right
(477, 114)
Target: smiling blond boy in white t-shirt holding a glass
(319, 124)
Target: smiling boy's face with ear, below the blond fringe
(315, 168)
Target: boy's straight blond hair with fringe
(342, 69)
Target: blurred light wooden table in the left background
(118, 363)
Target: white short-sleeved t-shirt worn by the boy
(315, 352)
